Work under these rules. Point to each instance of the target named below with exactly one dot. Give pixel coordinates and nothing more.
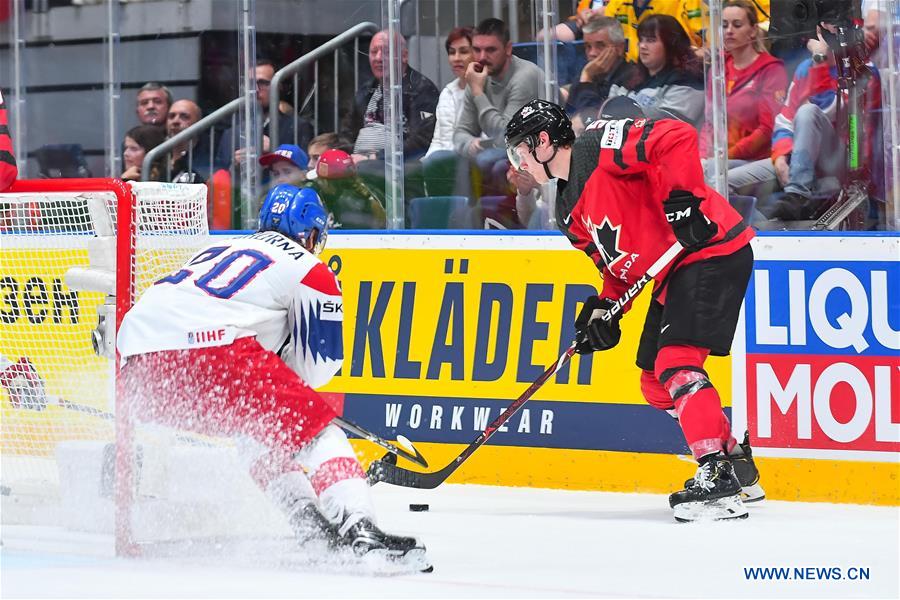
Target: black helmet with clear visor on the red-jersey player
(529, 121)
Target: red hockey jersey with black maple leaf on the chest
(618, 217)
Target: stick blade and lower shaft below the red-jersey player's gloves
(390, 473)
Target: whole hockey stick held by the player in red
(390, 473)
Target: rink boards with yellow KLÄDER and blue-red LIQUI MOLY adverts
(443, 331)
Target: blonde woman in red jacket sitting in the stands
(755, 85)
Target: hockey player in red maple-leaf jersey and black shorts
(629, 188)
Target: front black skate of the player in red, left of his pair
(713, 495)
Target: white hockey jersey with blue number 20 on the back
(262, 285)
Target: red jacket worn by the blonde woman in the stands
(753, 96)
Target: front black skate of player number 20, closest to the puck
(368, 542)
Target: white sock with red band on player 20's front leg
(337, 477)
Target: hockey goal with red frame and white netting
(74, 255)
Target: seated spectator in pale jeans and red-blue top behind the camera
(807, 152)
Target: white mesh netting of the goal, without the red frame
(54, 385)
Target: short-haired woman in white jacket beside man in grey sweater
(441, 161)
